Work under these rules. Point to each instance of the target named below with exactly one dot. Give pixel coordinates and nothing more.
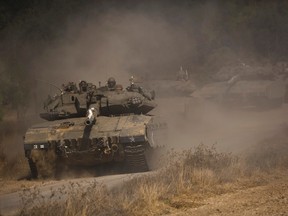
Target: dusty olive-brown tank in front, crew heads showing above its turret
(90, 126)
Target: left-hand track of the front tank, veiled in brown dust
(43, 163)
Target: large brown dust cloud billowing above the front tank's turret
(150, 40)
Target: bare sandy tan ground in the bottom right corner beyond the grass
(269, 199)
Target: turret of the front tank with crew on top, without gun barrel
(73, 102)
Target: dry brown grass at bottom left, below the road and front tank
(70, 200)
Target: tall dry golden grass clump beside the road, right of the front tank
(194, 174)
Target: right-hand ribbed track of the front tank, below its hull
(135, 158)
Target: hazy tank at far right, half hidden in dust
(248, 87)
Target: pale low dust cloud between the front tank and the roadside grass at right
(191, 123)
